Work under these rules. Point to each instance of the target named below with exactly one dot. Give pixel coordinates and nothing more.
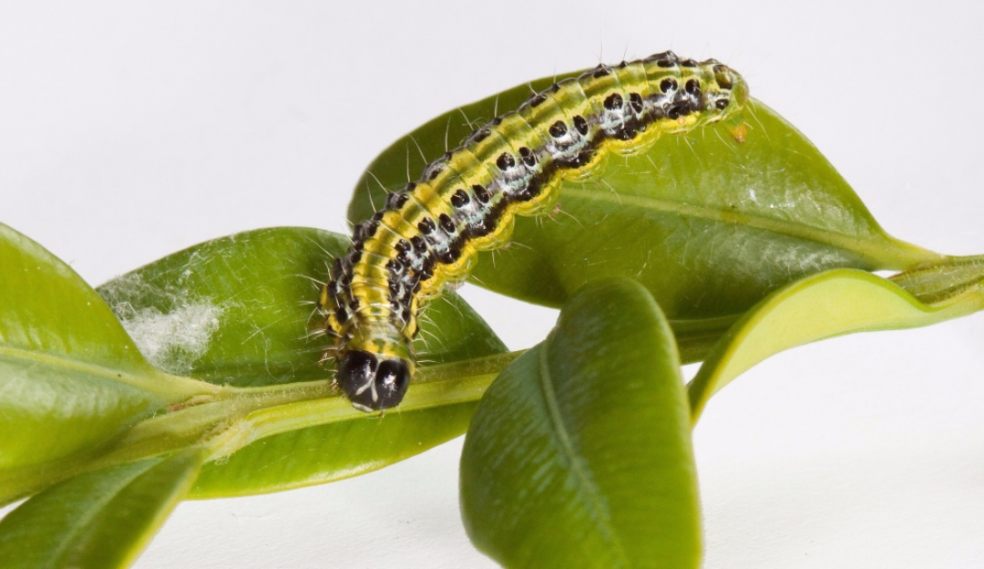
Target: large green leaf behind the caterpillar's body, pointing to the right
(710, 221)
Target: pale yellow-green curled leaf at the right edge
(835, 303)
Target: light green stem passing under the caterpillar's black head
(235, 417)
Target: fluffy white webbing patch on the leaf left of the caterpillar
(173, 340)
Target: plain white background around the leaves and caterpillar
(129, 130)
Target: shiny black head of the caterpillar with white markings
(372, 384)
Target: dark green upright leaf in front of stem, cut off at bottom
(580, 451)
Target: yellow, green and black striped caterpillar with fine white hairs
(428, 234)
